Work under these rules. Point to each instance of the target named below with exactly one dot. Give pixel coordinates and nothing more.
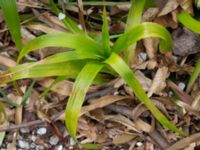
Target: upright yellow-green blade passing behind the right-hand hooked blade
(134, 18)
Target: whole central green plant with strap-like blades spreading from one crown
(86, 60)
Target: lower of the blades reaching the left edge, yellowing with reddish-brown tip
(69, 69)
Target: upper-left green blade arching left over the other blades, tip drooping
(84, 45)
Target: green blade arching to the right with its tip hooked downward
(144, 30)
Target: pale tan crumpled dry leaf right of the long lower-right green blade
(159, 81)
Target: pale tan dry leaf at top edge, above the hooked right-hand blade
(169, 7)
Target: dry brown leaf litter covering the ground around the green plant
(111, 119)
